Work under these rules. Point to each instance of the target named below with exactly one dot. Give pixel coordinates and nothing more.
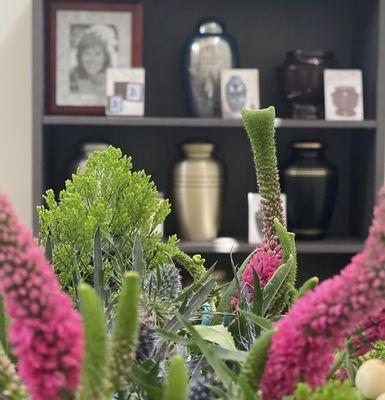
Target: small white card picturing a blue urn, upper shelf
(239, 89)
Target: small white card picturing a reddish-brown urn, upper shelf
(343, 94)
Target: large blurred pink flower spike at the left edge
(46, 333)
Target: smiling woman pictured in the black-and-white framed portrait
(95, 52)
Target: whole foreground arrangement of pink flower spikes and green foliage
(139, 333)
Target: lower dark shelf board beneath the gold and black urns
(227, 245)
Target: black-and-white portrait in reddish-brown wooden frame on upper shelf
(86, 39)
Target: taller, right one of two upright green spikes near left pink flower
(125, 336)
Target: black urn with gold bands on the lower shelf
(310, 183)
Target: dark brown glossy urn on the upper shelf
(301, 82)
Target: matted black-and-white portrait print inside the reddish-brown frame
(88, 42)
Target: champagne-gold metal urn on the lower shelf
(198, 187)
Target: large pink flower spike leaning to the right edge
(318, 323)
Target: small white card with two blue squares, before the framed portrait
(125, 91)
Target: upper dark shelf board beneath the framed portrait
(198, 122)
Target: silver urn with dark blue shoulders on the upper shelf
(204, 55)
